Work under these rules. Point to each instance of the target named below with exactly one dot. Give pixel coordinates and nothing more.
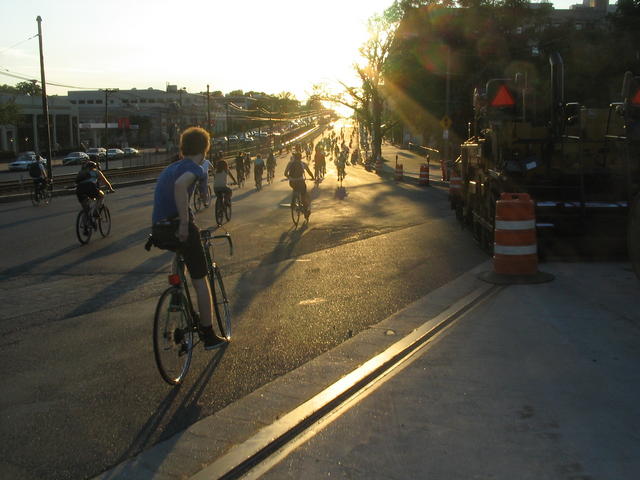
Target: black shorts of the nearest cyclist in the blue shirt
(164, 237)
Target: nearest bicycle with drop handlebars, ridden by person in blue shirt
(176, 325)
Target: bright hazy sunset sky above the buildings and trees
(261, 45)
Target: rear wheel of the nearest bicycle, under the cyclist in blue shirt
(172, 336)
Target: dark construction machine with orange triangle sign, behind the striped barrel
(581, 165)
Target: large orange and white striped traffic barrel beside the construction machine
(515, 250)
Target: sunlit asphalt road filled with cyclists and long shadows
(80, 388)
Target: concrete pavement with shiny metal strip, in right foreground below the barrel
(535, 381)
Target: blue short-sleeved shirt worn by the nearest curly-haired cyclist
(164, 201)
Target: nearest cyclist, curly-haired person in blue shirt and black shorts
(174, 187)
